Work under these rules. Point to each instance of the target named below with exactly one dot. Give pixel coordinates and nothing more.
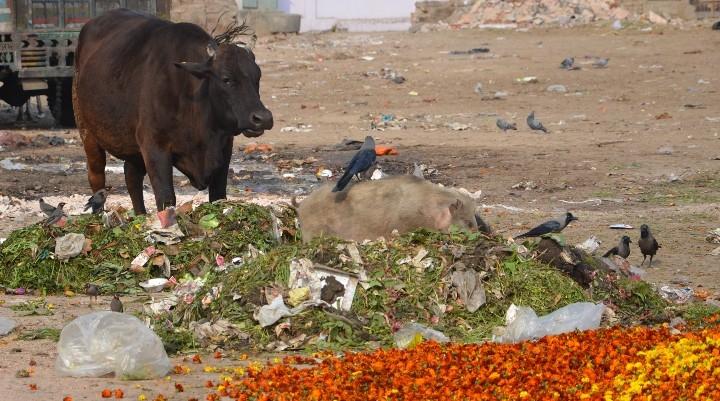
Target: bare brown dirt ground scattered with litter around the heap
(636, 142)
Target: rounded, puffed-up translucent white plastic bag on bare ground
(99, 343)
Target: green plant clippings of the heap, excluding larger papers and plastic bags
(235, 257)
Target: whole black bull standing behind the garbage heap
(158, 94)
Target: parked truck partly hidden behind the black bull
(38, 39)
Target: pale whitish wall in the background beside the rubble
(355, 15)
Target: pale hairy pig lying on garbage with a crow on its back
(372, 209)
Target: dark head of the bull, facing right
(233, 80)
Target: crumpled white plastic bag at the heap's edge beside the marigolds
(523, 324)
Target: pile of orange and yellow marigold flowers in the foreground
(616, 364)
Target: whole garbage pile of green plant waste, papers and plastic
(234, 275)
